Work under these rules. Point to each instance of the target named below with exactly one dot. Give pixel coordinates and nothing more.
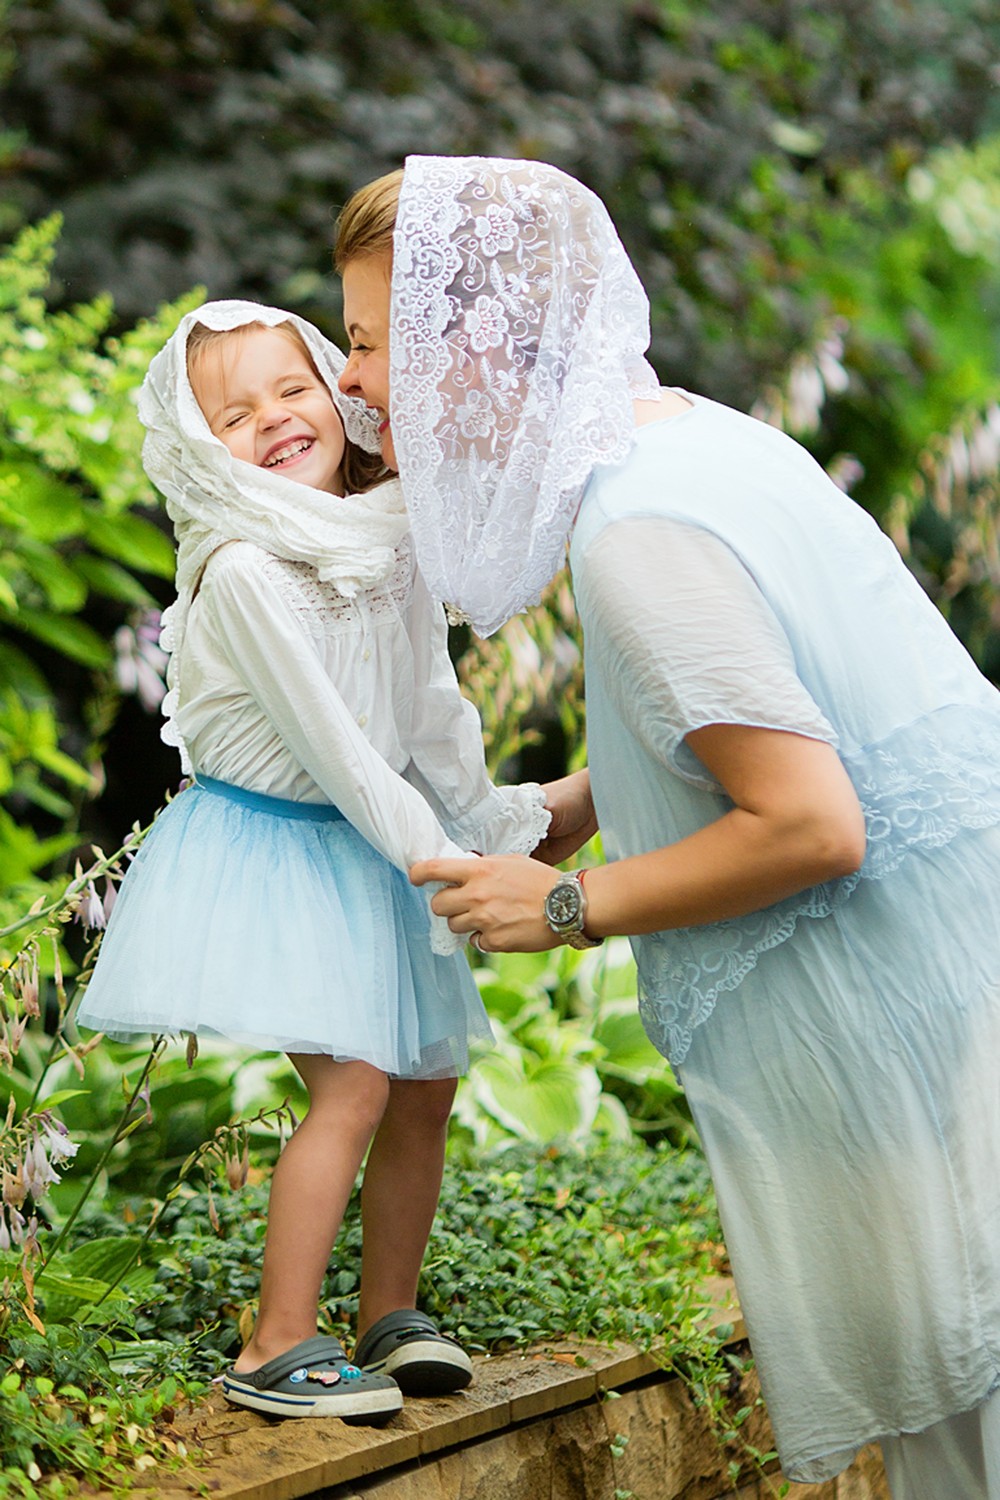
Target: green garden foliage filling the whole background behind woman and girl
(812, 196)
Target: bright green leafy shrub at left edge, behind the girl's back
(73, 538)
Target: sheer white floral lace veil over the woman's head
(518, 346)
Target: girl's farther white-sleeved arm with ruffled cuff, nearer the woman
(449, 764)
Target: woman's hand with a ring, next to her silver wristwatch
(500, 898)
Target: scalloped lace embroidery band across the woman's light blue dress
(918, 790)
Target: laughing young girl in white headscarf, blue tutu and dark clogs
(317, 710)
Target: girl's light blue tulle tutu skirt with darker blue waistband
(278, 926)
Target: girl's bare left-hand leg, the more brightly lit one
(310, 1195)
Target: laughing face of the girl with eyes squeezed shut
(265, 401)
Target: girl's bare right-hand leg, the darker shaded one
(403, 1183)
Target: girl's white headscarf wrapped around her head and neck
(214, 497)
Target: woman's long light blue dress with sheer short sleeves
(840, 1049)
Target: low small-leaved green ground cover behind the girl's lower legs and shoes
(528, 1246)
